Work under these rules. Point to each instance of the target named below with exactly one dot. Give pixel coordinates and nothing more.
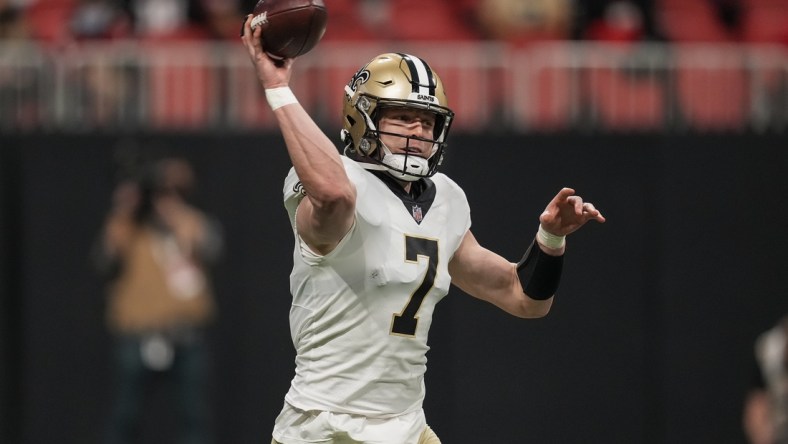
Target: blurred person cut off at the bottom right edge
(765, 416)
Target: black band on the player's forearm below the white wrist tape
(540, 273)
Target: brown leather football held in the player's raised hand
(290, 27)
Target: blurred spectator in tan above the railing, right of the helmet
(523, 21)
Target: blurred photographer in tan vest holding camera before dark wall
(156, 249)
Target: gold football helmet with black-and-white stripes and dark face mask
(393, 80)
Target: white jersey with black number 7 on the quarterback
(360, 315)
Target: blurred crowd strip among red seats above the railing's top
(516, 21)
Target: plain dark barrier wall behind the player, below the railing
(648, 341)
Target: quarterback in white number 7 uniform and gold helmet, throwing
(379, 236)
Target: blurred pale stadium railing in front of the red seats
(559, 86)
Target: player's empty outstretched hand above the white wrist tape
(567, 212)
